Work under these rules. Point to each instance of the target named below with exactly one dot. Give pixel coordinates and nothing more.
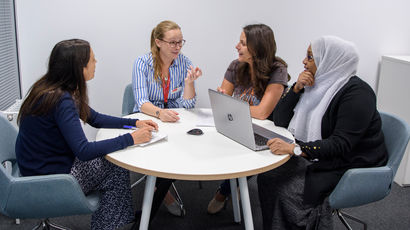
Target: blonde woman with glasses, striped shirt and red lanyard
(164, 78)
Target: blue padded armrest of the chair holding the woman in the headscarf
(361, 186)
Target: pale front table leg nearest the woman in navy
(147, 202)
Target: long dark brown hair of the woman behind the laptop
(261, 45)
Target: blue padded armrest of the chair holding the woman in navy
(48, 196)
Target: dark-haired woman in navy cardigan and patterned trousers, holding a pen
(52, 141)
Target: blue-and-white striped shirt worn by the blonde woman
(147, 89)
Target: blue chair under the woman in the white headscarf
(361, 186)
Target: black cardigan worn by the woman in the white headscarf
(351, 137)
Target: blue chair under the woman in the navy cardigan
(40, 197)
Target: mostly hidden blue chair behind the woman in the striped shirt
(128, 103)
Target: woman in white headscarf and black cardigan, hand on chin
(332, 114)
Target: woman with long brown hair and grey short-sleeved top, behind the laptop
(258, 77)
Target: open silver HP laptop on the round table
(233, 119)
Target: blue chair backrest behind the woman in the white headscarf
(396, 136)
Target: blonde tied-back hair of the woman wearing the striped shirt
(158, 33)
